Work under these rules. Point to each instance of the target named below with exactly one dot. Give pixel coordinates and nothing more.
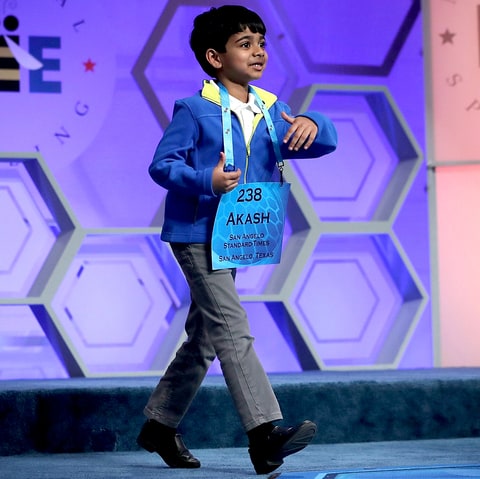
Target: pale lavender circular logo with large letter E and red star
(57, 76)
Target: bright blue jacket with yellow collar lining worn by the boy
(190, 149)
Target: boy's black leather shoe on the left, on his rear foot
(170, 447)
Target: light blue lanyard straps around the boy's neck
(227, 128)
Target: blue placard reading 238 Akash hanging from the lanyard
(249, 225)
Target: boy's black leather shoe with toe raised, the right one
(266, 455)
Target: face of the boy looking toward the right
(245, 58)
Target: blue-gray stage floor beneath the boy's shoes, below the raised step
(402, 459)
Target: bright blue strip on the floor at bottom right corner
(436, 472)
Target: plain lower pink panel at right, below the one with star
(458, 197)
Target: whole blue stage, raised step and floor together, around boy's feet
(396, 423)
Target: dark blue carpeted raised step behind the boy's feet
(104, 415)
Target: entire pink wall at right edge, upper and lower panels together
(453, 44)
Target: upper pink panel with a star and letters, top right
(455, 76)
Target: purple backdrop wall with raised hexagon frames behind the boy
(86, 286)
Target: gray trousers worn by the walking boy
(216, 326)
